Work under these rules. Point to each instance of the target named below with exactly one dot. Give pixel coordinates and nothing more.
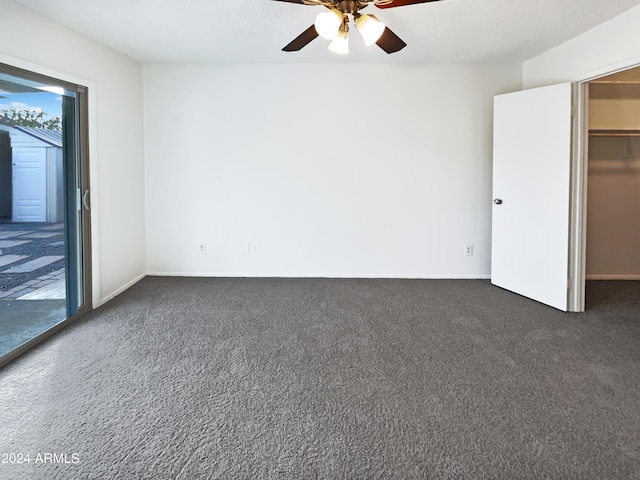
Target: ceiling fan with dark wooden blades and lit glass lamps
(334, 25)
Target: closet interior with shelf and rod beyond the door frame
(612, 246)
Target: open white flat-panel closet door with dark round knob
(531, 188)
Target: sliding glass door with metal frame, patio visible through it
(45, 254)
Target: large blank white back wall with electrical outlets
(320, 170)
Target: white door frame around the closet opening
(579, 178)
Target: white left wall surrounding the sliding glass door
(31, 41)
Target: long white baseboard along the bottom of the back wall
(478, 276)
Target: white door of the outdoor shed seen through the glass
(29, 184)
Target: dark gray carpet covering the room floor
(331, 379)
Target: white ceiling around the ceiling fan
(254, 31)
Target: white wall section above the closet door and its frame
(605, 48)
